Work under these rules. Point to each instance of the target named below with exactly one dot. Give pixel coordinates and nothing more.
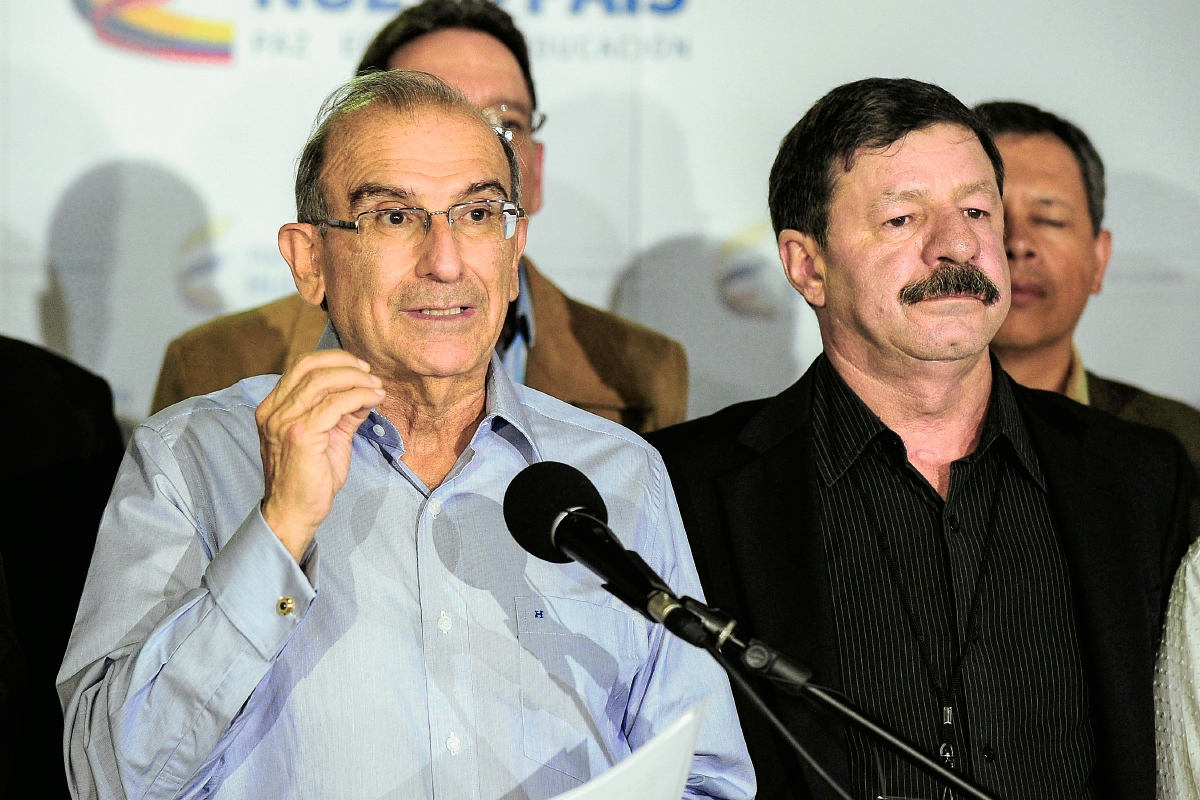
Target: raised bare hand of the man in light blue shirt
(307, 431)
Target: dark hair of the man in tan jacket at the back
(415, 22)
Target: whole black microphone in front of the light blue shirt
(556, 514)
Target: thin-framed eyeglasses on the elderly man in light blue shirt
(479, 221)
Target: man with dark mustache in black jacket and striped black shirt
(981, 567)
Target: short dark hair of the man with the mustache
(873, 113)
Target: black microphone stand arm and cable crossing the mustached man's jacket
(713, 630)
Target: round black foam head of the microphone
(538, 495)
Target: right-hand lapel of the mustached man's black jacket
(1094, 522)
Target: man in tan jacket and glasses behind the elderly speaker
(579, 354)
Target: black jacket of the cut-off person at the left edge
(63, 449)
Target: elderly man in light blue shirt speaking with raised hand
(304, 586)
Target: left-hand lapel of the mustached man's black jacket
(771, 508)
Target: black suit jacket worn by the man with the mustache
(1121, 496)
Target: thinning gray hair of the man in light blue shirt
(404, 92)
